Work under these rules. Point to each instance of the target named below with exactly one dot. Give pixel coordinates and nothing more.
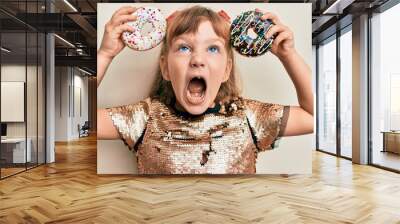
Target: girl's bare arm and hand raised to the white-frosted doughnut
(111, 46)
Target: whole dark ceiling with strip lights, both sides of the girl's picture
(75, 21)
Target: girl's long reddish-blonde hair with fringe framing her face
(188, 21)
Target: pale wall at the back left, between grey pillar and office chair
(68, 82)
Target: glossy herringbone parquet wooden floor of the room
(70, 191)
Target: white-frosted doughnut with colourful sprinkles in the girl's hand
(136, 40)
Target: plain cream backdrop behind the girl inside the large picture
(130, 76)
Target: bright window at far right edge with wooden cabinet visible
(385, 89)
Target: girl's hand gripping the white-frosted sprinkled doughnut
(112, 43)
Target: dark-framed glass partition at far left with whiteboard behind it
(22, 64)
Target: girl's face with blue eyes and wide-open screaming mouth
(197, 64)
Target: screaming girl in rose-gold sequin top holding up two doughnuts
(195, 120)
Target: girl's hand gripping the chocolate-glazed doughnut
(283, 44)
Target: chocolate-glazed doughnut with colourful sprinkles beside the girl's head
(243, 42)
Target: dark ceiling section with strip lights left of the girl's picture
(78, 27)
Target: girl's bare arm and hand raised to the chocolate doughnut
(300, 120)
